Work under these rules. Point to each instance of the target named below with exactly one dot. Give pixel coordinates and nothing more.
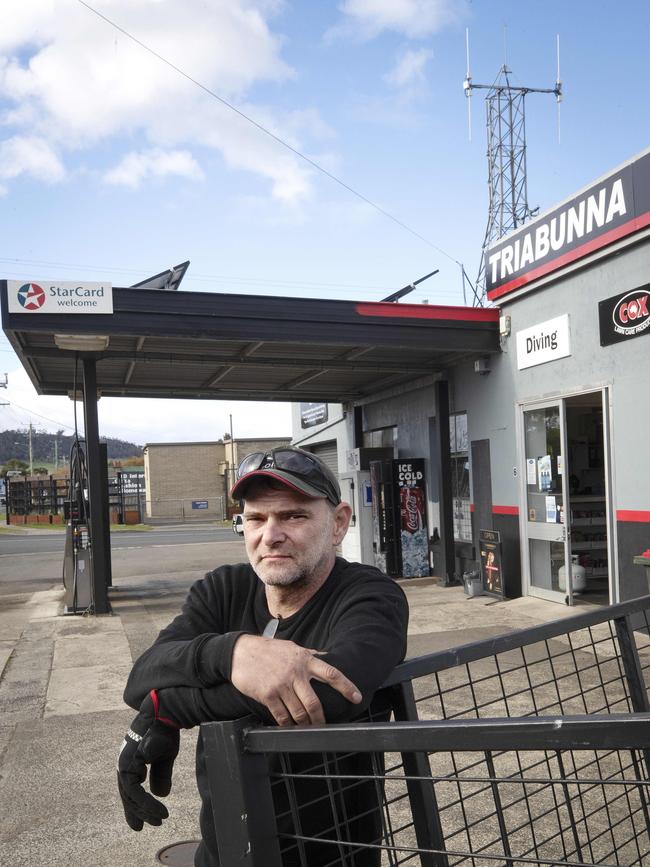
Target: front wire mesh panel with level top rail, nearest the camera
(544, 806)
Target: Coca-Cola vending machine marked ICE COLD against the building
(399, 517)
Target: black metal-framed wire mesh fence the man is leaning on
(532, 748)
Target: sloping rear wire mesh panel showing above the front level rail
(594, 663)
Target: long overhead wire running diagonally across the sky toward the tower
(268, 132)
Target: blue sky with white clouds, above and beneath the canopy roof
(114, 166)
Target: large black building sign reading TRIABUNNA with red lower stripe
(610, 209)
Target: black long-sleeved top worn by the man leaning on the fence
(358, 617)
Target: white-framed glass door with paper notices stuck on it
(547, 544)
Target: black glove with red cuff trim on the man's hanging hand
(151, 740)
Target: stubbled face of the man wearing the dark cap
(291, 539)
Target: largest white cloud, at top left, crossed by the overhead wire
(71, 78)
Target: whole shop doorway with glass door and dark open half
(566, 515)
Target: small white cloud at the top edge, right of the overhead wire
(414, 19)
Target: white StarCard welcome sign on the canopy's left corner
(49, 297)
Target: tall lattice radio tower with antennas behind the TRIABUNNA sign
(506, 134)
